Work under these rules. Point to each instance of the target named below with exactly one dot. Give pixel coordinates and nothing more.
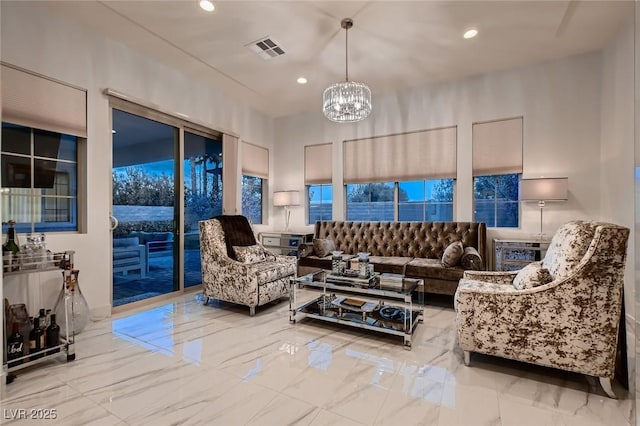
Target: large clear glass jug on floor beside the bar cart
(73, 302)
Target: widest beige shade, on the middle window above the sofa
(408, 156)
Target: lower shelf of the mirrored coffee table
(355, 319)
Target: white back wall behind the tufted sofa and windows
(560, 102)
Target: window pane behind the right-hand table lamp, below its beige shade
(496, 200)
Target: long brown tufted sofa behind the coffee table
(414, 249)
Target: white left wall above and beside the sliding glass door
(34, 38)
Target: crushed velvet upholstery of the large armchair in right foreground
(570, 323)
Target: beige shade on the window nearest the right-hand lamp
(497, 147)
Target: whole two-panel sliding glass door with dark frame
(166, 177)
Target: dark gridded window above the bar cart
(39, 179)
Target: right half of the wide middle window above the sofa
(426, 200)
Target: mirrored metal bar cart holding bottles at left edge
(20, 264)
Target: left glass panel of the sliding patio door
(144, 260)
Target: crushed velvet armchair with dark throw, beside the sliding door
(226, 279)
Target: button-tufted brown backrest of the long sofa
(406, 239)
